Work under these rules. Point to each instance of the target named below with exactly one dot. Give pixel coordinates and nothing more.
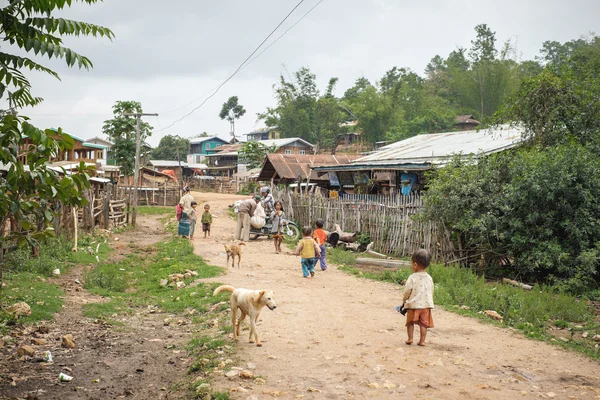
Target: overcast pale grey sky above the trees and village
(167, 54)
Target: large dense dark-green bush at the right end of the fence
(535, 211)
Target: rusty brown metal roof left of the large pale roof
(290, 166)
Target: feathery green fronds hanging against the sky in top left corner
(29, 25)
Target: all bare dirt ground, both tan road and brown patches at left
(332, 337)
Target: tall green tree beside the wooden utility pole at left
(121, 131)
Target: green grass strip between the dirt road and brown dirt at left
(134, 282)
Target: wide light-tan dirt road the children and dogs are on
(338, 337)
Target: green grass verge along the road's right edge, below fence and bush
(537, 313)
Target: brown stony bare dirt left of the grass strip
(129, 362)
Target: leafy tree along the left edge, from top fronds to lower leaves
(29, 188)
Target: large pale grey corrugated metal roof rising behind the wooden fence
(423, 151)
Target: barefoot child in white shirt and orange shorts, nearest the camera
(418, 297)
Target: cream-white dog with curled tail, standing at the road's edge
(250, 302)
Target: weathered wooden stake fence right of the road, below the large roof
(390, 221)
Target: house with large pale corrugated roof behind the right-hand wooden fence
(400, 167)
